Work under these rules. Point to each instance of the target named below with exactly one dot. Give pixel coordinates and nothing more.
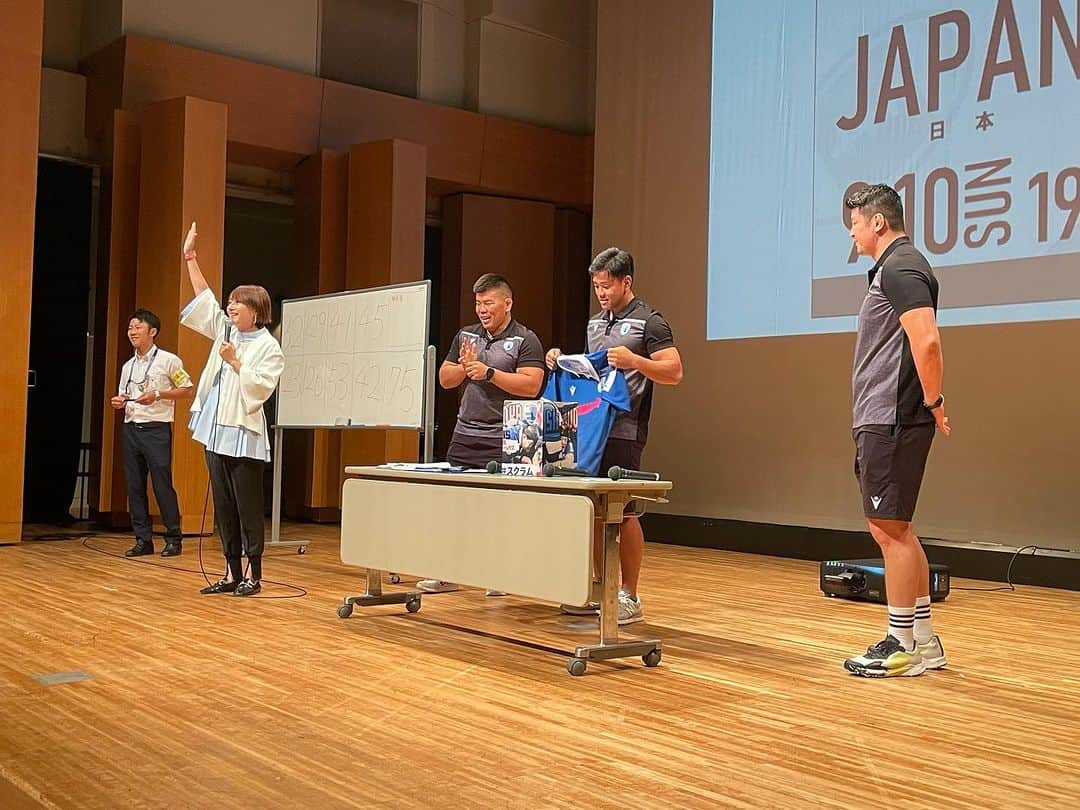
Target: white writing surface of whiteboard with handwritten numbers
(355, 359)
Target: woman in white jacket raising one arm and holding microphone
(227, 416)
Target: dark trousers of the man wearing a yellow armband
(148, 449)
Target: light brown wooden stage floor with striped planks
(199, 701)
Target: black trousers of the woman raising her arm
(237, 484)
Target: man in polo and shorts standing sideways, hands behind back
(898, 403)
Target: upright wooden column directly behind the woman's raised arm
(182, 179)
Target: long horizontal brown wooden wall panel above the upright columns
(278, 117)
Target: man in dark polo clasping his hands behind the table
(496, 360)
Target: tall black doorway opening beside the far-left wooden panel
(59, 317)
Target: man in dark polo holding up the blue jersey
(640, 342)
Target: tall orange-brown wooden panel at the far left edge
(22, 24)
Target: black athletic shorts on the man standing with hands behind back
(890, 461)
